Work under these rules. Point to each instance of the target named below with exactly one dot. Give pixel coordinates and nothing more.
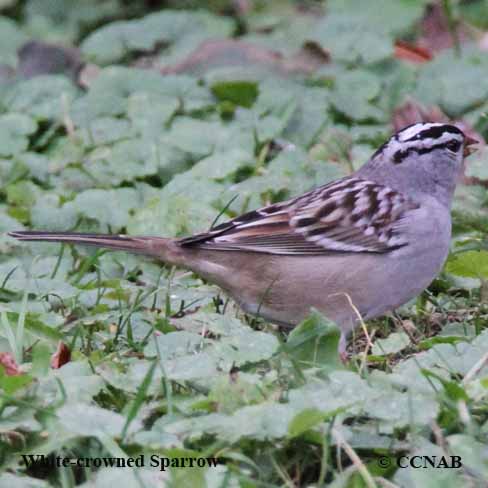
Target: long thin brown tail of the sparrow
(163, 248)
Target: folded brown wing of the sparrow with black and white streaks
(348, 215)
